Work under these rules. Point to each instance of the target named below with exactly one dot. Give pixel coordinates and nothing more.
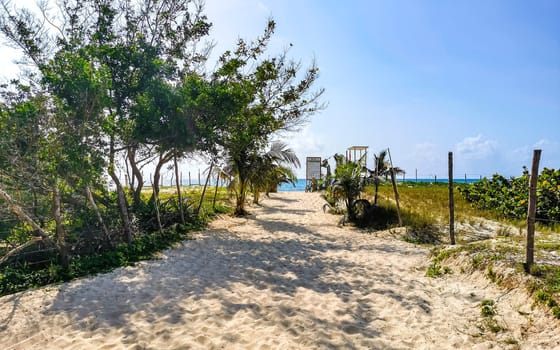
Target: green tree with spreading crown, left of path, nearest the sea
(269, 98)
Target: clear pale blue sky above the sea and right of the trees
(479, 78)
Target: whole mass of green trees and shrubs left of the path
(112, 87)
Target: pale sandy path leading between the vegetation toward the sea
(287, 277)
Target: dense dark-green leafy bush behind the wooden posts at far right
(509, 197)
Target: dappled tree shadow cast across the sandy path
(214, 267)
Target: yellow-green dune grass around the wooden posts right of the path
(502, 249)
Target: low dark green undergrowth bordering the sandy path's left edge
(91, 255)
